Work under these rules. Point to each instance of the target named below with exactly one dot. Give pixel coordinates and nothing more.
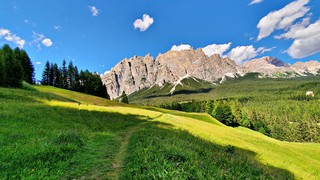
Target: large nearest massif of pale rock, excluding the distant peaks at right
(133, 74)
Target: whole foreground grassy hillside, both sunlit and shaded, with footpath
(52, 133)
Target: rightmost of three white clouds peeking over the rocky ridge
(242, 54)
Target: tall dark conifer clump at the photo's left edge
(15, 67)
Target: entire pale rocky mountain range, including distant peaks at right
(134, 74)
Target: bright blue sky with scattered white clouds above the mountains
(97, 34)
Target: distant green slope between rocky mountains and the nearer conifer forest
(247, 87)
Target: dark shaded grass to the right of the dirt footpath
(158, 151)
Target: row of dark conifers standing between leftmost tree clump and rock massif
(69, 77)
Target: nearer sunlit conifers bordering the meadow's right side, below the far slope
(290, 120)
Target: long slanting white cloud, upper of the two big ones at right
(283, 18)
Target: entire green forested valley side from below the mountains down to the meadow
(278, 108)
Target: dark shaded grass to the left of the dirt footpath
(45, 142)
